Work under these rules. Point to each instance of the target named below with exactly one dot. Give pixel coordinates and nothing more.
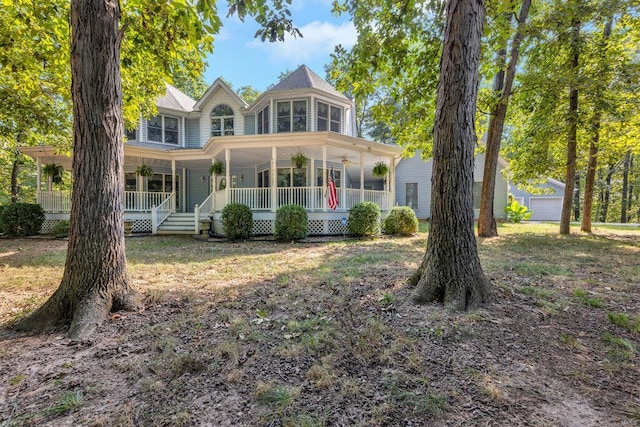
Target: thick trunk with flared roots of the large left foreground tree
(95, 278)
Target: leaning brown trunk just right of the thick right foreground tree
(486, 222)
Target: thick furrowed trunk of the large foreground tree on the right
(450, 271)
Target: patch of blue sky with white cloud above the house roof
(244, 60)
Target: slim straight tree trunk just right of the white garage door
(572, 136)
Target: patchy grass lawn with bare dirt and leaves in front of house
(325, 333)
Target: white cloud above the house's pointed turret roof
(319, 39)
